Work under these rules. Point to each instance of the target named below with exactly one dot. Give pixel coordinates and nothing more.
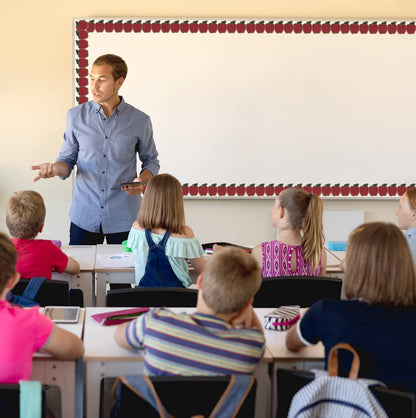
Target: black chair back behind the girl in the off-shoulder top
(153, 297)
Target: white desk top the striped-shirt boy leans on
(100, 345)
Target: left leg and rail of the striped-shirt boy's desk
(95, 371)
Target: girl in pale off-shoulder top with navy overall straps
(161, 242)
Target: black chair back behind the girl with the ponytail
(296, 290)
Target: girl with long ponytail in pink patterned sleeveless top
(299, 251)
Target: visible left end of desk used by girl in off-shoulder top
(105, 275)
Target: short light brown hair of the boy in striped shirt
(230, 279)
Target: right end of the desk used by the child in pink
(68, 375)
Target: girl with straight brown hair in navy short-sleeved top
(378, 318)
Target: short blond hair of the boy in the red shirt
(25, 214)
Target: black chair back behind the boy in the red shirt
(51, 293)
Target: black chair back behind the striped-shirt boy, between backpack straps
(182, 396)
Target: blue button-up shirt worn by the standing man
(105, 152)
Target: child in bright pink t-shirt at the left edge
(24, 331)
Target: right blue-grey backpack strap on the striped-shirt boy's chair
(233, 397)
